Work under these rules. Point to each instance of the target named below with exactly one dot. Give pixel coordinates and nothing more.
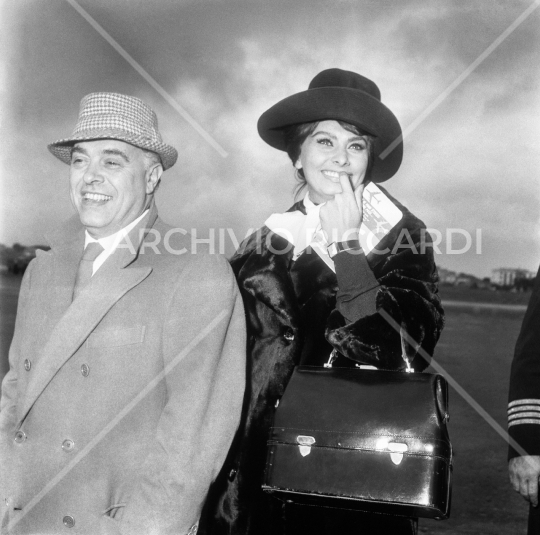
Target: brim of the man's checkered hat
(62, 148)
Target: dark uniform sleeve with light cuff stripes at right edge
(524, 393)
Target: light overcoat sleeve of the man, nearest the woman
(204, 369)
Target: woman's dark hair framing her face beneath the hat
(296, 134)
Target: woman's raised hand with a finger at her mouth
(342, 216)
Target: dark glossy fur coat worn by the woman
(278, 334)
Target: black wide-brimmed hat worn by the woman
(339, 95)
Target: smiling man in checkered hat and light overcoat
(127, 364)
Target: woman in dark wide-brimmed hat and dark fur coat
(305, 293)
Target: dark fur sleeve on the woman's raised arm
(405, 269)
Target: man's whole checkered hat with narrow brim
(116, 116)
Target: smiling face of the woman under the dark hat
(326, 153)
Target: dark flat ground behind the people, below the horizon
(475, 349)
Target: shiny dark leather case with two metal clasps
(369, 440)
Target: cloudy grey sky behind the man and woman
(473, 163)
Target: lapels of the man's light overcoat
(114, 279)
